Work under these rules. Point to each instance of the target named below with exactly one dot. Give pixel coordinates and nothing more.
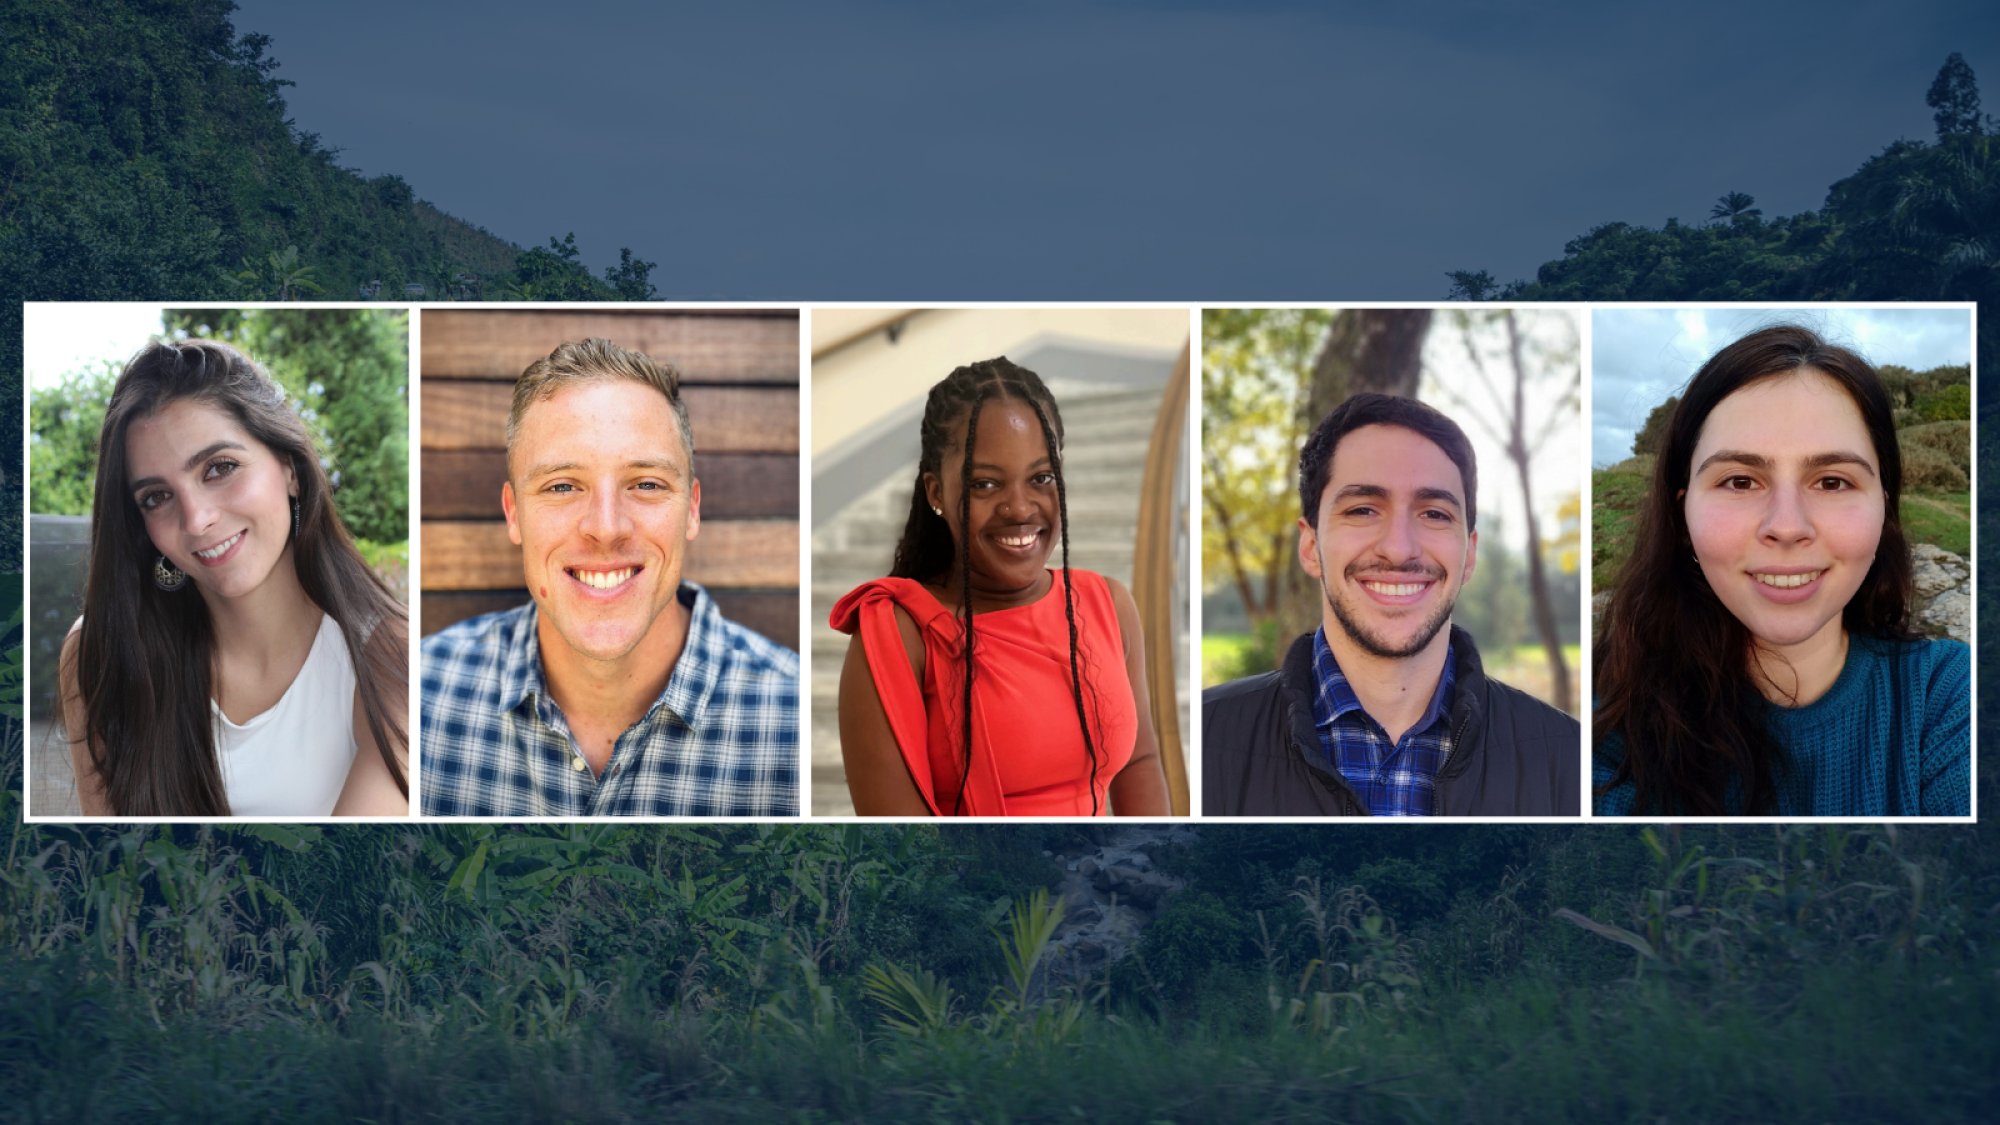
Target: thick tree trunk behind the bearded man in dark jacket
(1367, 349)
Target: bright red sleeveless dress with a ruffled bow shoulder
(1027, 748)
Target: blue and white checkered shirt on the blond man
(721, 742)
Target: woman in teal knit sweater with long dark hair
(1757, 654)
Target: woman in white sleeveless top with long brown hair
(235, 656)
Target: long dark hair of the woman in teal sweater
(1673, 664)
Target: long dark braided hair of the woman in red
(929, 551)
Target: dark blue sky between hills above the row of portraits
(1099, 151)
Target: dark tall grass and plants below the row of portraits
(823, 974)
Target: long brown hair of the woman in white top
(145, 658)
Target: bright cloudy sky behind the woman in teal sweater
(1639, 357)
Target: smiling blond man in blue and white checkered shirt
(619, 688)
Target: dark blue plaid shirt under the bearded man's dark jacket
(1391, 780)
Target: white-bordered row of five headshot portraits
(291, 564)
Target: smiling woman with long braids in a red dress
(981, 684)
